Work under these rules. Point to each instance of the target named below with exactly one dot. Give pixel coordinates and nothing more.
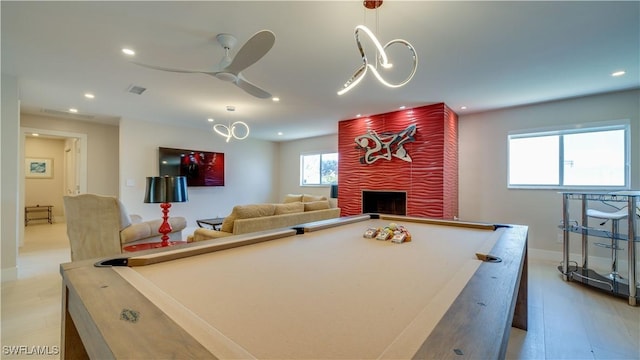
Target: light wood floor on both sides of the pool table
(566, 320)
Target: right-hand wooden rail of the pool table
(494, 298)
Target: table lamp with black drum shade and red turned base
(165, 190)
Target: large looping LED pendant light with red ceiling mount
(381, 57)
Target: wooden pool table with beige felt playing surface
(315, 291)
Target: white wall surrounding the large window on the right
(483, 161)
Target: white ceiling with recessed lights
(482, 55)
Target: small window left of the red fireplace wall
(319, 169)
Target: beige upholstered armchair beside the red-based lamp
(99, 226)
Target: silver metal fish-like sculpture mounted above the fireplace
(385, 145)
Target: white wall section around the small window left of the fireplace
(289, 155)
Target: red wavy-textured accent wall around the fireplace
(430, 179)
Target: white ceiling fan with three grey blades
(229, 69)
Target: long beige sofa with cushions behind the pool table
(296, 209)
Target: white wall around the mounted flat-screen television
(251, 171)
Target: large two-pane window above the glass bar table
(594, 157)
